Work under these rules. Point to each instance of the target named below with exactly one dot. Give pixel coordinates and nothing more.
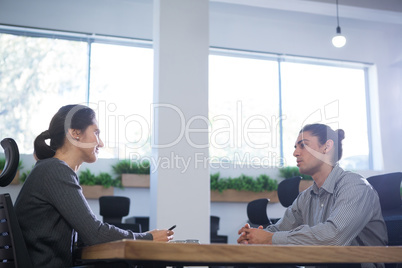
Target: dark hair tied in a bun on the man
(324, 133)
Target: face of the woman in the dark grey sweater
(90, 143)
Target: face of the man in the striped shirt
(309, 153)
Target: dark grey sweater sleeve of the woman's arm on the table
(66, 195)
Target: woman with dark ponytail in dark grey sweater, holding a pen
(51, 207)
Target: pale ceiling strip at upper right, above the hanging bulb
(387, 11)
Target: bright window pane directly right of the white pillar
(243, 110)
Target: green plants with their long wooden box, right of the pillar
(243, 188)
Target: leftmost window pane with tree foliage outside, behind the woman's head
(37, 76)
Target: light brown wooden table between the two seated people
(167, 254)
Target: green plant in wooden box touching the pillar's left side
(133, 174)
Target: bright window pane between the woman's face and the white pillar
(122, 86)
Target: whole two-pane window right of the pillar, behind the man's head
(267, 99)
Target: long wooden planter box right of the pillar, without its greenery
(242, 196)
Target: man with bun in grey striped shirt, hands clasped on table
(341, 208)
